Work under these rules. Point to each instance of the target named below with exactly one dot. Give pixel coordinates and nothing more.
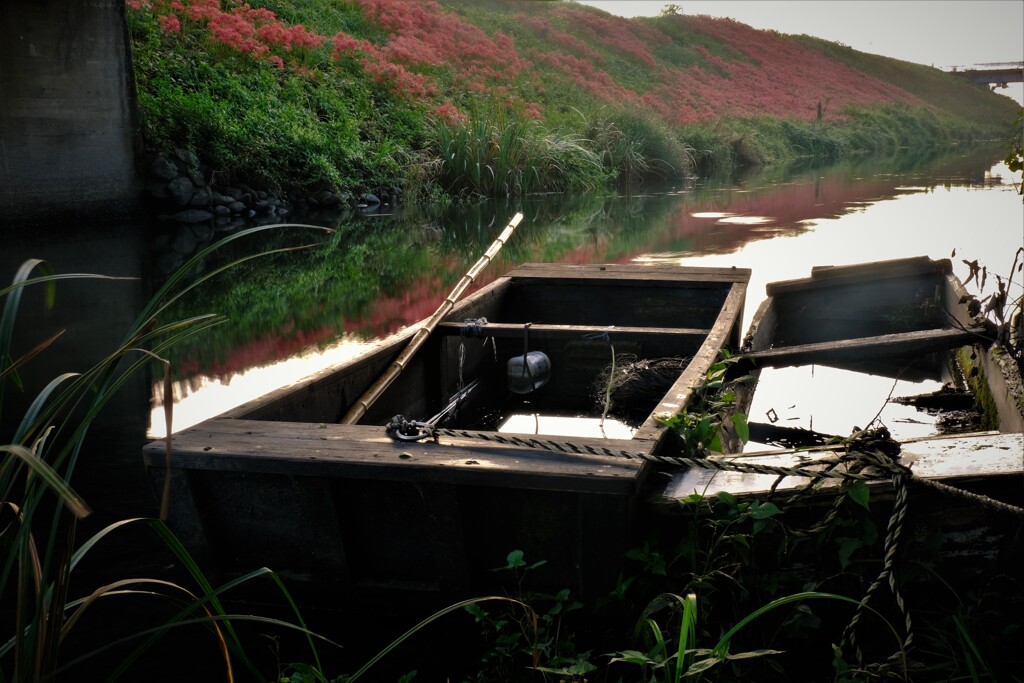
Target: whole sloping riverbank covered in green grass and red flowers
(291, 105)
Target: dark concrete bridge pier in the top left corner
(67, 112)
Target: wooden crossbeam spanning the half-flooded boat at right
(909, 344)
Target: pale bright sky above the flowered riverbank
(937, 33)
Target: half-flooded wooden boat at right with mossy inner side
(906, 319)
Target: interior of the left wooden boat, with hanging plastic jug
(534, 352)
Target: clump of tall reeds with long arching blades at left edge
(40, 511)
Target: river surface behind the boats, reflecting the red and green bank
(382, 273)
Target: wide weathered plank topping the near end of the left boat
(367, 452)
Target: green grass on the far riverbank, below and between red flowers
(339, 131)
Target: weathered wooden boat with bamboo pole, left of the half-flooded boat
(278, 483)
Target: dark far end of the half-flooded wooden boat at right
(909, 319)
